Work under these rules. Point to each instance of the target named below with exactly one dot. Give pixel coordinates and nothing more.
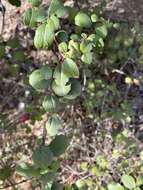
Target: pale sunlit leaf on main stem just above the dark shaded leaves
(53, 125)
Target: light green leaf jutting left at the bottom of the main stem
(27, 170)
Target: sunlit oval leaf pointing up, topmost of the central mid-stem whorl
(70, 68)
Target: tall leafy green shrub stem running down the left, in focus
(74, 50)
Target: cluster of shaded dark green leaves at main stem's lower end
(43, 158)
